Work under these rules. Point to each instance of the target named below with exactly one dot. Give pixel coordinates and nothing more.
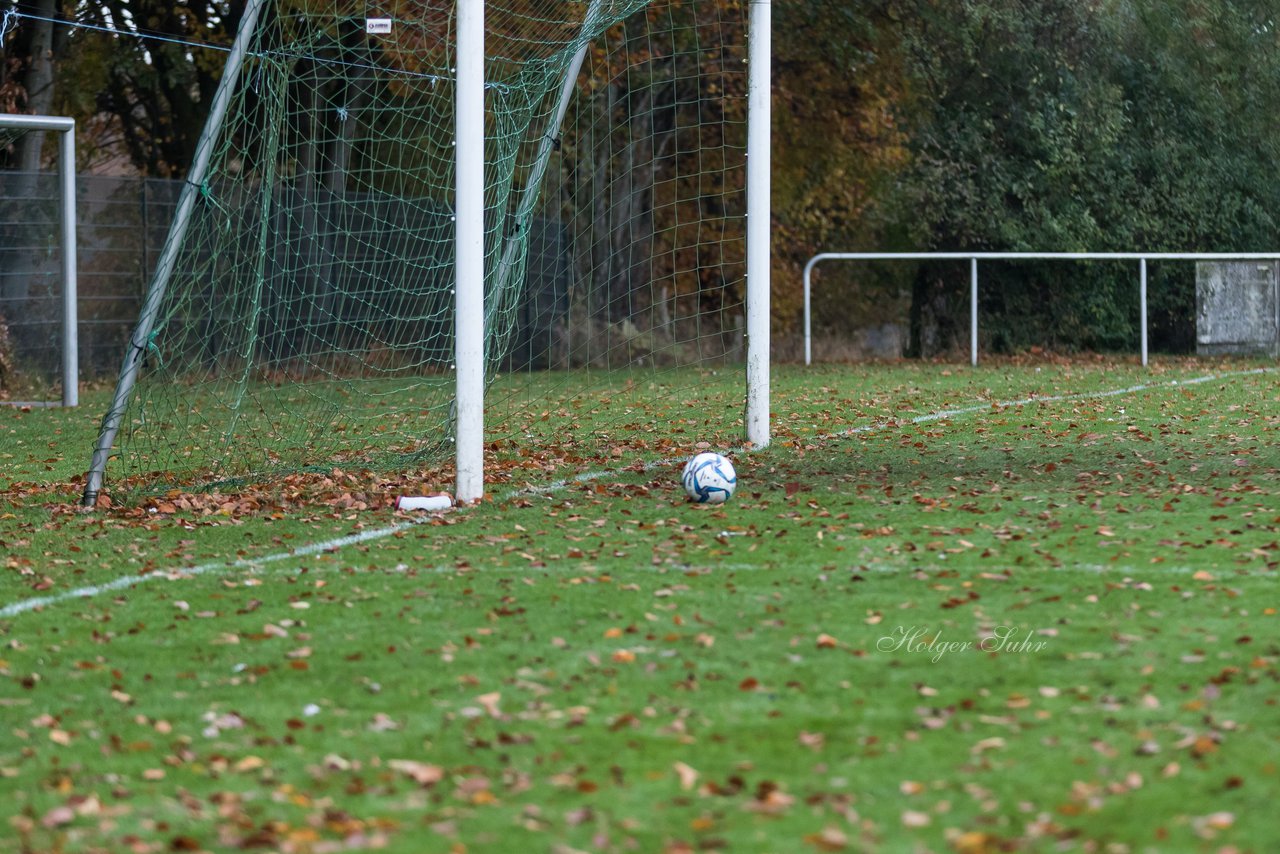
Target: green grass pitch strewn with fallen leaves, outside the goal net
(1011, 609)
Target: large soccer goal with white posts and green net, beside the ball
(412, 231)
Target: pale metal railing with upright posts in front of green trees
(973, 258)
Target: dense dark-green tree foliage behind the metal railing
(1057, 125)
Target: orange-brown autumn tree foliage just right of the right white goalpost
(839, 148)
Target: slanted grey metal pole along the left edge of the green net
(140, 340)
